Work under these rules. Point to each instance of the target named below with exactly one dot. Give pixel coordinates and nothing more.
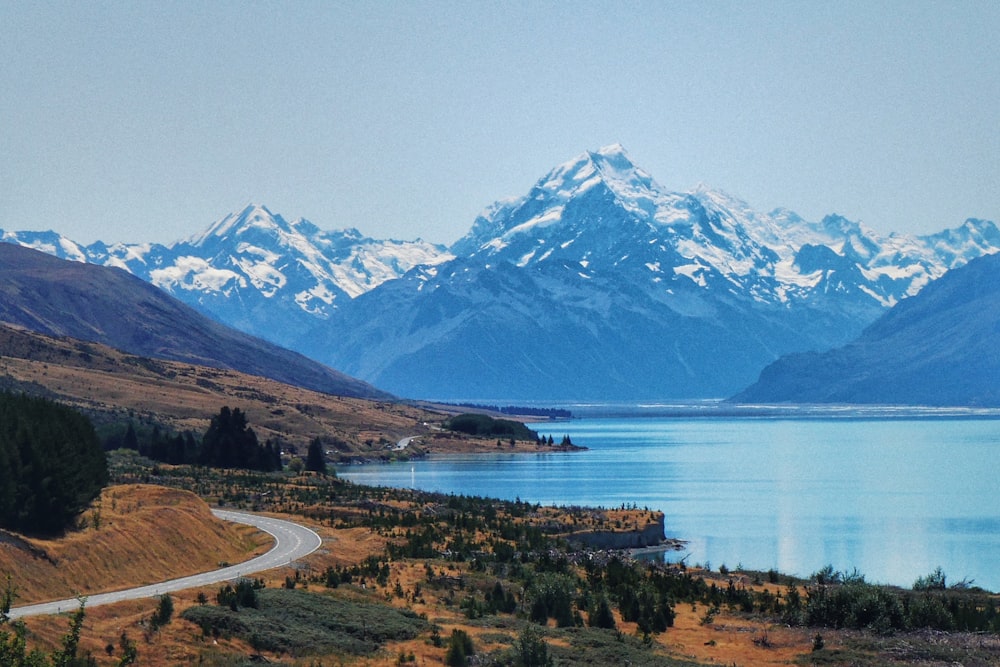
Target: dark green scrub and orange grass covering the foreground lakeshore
(412, 577)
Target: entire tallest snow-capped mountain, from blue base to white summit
(601, 284)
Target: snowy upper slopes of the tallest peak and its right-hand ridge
(601, 212)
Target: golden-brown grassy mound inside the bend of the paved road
(132, 535)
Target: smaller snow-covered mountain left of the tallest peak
(254, 270)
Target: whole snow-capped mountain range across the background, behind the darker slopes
(597, 284)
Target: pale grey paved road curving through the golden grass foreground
(291, 542)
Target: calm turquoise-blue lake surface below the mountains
(893, 496)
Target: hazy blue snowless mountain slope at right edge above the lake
(939, 348)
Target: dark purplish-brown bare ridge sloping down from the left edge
(111, 306)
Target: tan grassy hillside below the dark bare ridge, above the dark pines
(111, 385)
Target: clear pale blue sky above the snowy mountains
(147, 121)
